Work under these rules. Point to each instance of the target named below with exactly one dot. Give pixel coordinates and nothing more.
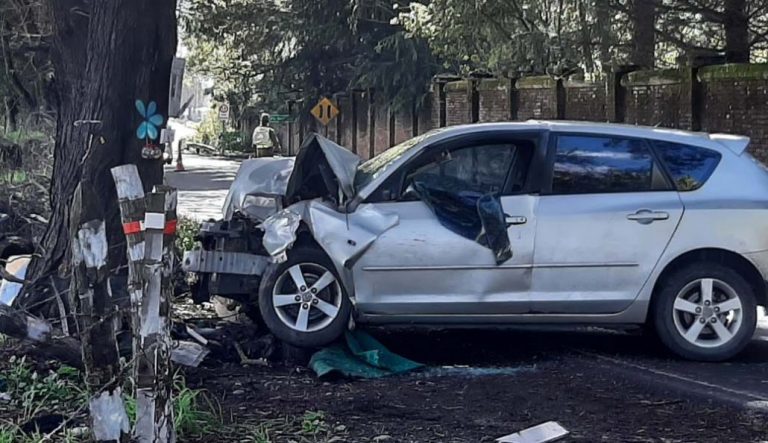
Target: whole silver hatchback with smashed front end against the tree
(503, 223)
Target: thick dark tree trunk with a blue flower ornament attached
(106, 55)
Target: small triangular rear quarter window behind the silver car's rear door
(689, 166)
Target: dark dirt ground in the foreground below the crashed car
(525, 378)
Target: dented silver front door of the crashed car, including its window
(420, 267)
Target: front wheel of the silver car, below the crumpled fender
(296, 314)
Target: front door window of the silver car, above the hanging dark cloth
(482, 167)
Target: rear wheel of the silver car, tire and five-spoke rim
(705, 311)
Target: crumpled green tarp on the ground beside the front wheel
(359, 356)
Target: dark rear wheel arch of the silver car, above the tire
(725, 257)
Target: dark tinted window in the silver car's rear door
(593, 164)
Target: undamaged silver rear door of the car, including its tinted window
(602, 225)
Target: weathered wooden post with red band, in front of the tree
(150, 226)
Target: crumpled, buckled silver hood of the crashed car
(322, 169)
